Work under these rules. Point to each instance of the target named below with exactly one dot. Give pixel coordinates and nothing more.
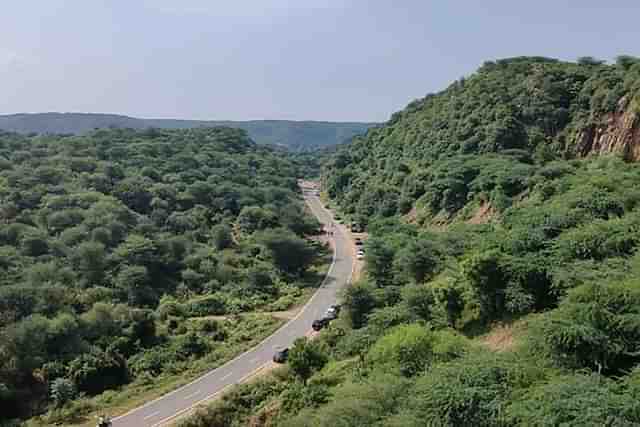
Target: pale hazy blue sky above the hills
(280, 59)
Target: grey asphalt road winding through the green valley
(172, 405)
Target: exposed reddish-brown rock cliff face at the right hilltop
(618, 133)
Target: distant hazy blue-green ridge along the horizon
(295, 135)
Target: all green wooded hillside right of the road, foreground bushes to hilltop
(510, 198)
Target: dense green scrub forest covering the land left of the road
(118, 249)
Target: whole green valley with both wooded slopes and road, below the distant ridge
(496, 279)
